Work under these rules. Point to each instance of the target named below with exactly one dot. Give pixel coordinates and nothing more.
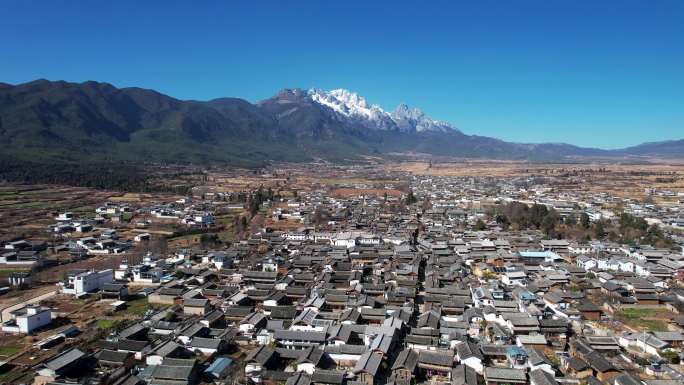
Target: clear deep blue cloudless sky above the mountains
(594, 73)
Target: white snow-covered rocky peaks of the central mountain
(351, 106)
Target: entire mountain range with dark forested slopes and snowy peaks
(59, 121)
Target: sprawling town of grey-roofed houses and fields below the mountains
(371, 274)
